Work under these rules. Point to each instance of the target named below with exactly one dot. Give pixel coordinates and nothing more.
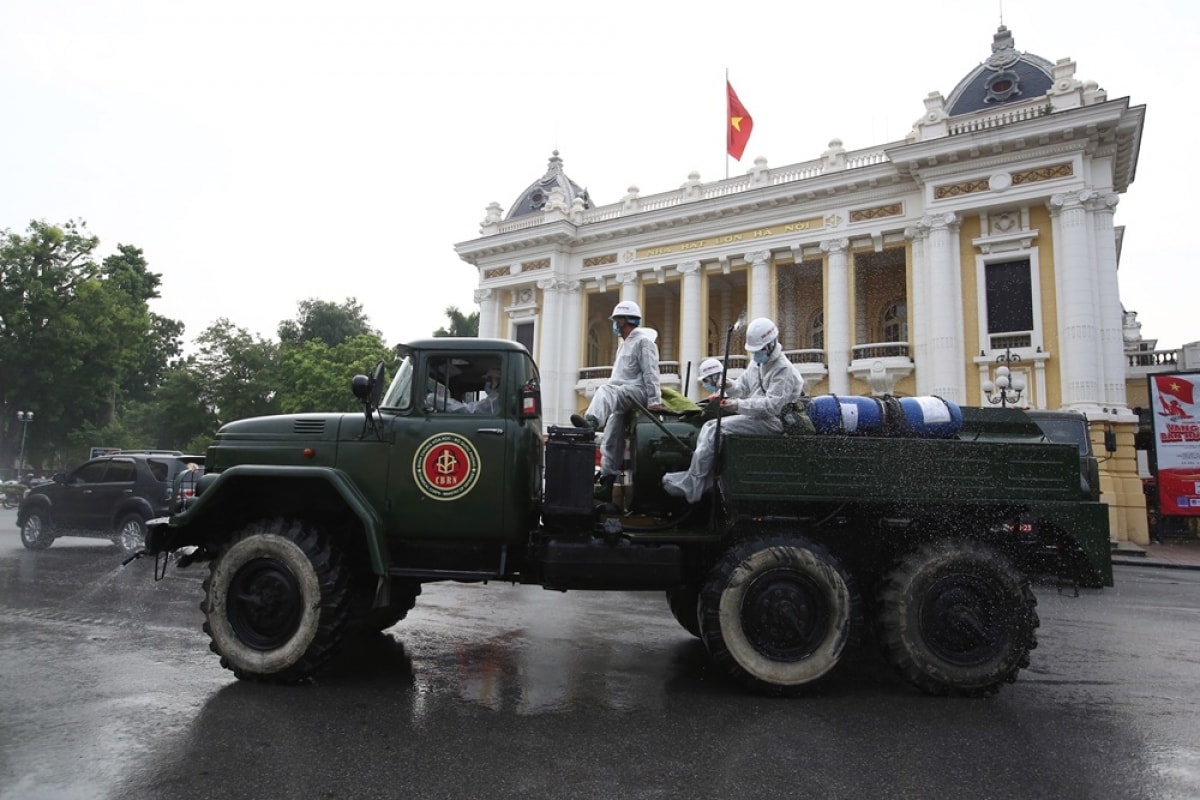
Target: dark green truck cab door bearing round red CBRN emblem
(451, 467)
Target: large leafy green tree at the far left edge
(77, 340)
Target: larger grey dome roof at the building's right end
(1009, 76)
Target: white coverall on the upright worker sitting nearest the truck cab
(635, 375)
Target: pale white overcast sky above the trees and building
(263, 153)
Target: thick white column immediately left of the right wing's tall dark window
(946, 351)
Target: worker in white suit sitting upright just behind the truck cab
(635, 376)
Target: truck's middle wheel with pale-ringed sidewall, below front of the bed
(777, 613)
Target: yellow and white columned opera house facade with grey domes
(986, 238)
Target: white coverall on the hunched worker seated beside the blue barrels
(761, 393)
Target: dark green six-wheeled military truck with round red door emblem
(316, 527)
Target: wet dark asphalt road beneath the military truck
(495, 691)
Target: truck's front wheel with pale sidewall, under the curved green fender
(277, 603)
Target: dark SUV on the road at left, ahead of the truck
(111, 497)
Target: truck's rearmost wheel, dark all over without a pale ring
(957, 619)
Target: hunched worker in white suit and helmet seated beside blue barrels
(757, 399)
